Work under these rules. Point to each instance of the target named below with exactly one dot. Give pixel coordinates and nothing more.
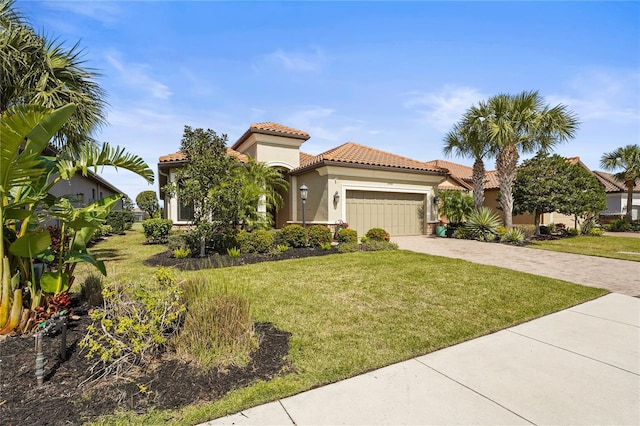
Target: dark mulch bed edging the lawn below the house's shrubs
(222, 261)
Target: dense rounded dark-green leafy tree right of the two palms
(545, 184)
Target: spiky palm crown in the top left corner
(37, 71)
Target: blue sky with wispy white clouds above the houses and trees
(391, 75)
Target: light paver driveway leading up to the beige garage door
(619, 276)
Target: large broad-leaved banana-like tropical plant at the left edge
(26, 177)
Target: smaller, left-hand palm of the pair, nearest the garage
(468, 139)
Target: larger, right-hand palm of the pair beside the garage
(521, 124)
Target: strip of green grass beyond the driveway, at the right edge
(606, 246)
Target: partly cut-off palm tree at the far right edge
(628, 159)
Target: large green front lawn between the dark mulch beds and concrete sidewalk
(351, 313)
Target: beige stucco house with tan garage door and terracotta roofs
(362, 186)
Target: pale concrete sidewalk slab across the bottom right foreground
(577, 366)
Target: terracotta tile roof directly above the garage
(353, 153)
